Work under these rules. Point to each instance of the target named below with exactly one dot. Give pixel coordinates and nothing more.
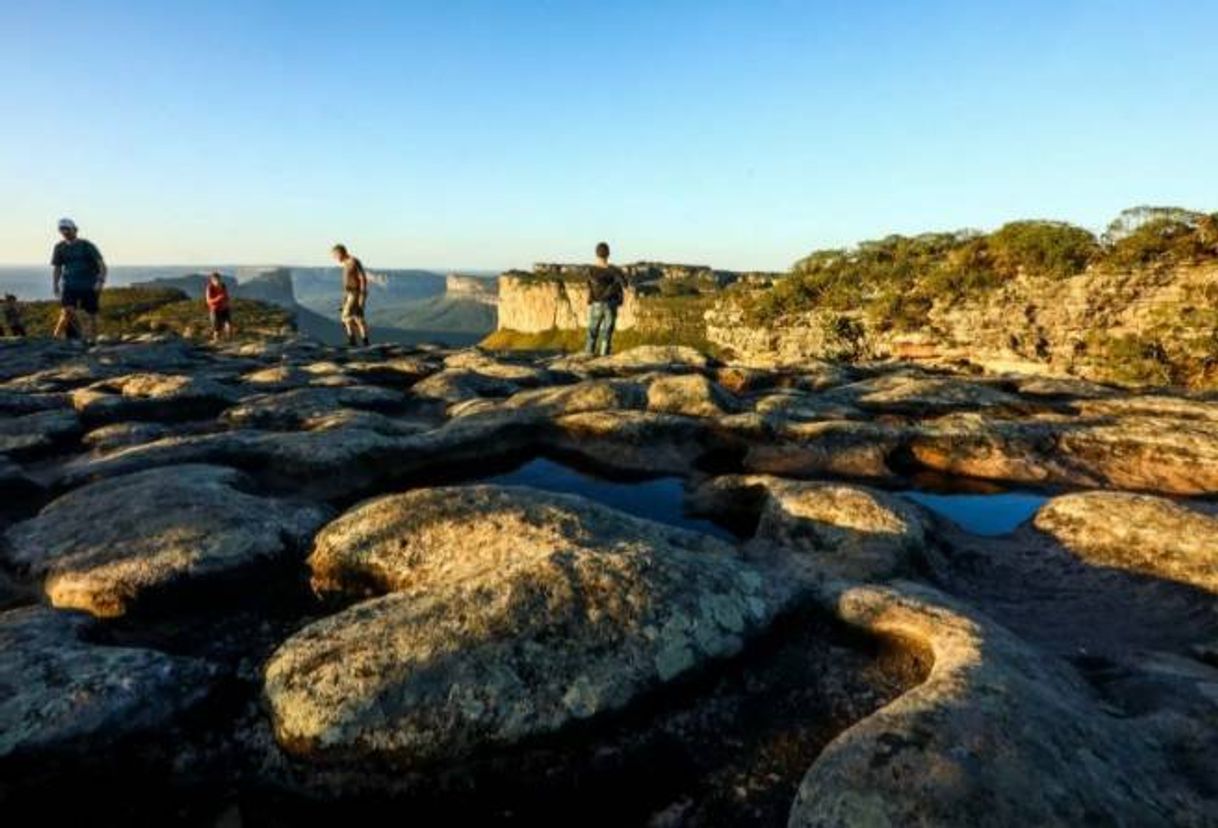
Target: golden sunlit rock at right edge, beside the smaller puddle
(1138, 534)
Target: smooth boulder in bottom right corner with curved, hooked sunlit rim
(998, 735)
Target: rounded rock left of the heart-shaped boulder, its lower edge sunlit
(110, 546)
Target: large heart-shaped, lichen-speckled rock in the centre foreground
(512, 614)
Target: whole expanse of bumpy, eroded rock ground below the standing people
(305, 583)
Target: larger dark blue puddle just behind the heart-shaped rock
(660, 499)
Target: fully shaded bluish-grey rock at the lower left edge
(63, 696)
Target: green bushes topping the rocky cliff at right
(895, 281)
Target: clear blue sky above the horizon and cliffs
(495, 135)
